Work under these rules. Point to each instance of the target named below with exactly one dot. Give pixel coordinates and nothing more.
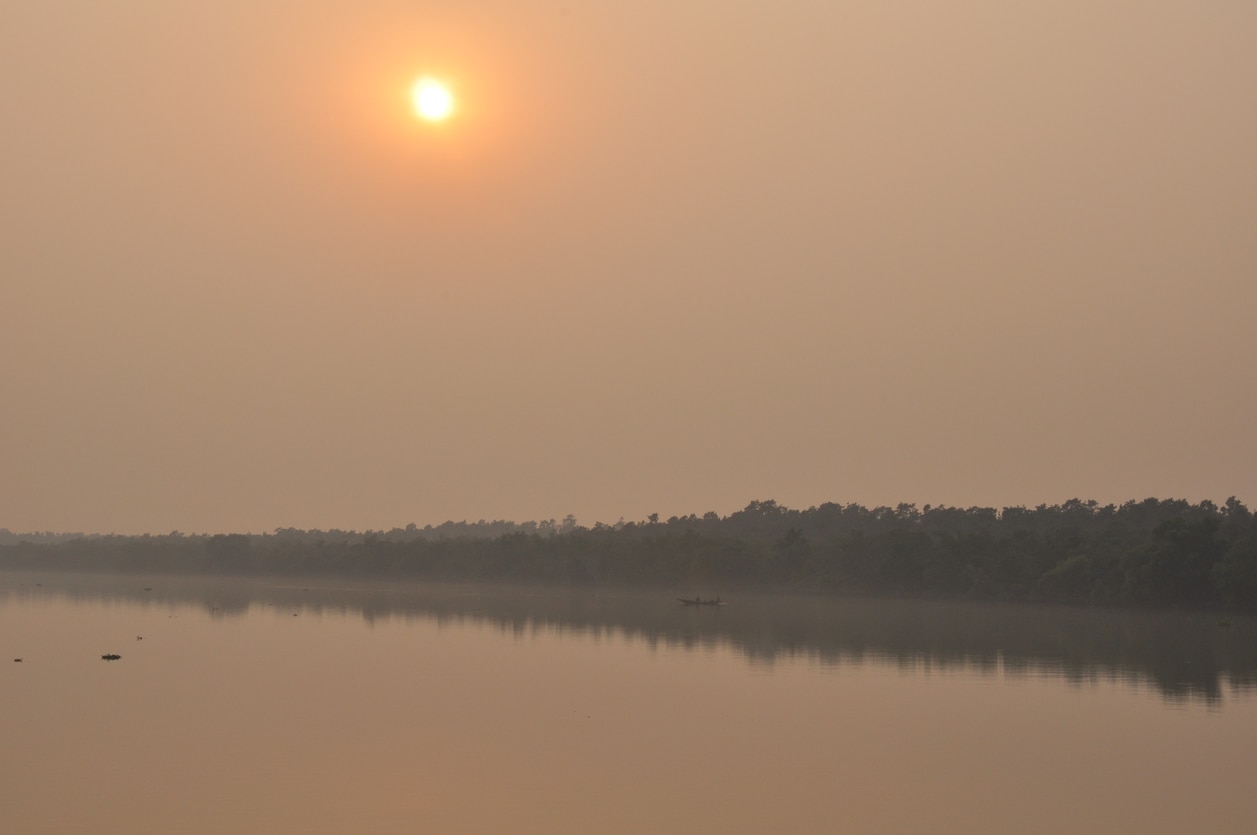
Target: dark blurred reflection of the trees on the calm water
(1183, 656)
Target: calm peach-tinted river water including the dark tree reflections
(253, 707)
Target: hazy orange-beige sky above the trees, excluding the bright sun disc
(668, 257)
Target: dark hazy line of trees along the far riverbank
(1161, 553)
